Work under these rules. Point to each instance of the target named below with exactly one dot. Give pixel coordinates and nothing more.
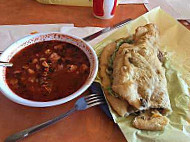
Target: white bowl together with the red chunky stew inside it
(48, 69)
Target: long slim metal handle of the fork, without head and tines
(29, 131)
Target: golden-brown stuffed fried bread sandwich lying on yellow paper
(136, 78)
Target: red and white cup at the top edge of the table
(104, 9)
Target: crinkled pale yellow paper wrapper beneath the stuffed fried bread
(175, 39)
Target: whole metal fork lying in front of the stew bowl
(81, 104)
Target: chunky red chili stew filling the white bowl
(48, 71)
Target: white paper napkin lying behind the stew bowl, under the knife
(11, 33)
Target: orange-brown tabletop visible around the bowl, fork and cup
(90, 125)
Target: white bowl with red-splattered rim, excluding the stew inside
(22, 43)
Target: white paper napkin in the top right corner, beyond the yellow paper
(180, 9)
